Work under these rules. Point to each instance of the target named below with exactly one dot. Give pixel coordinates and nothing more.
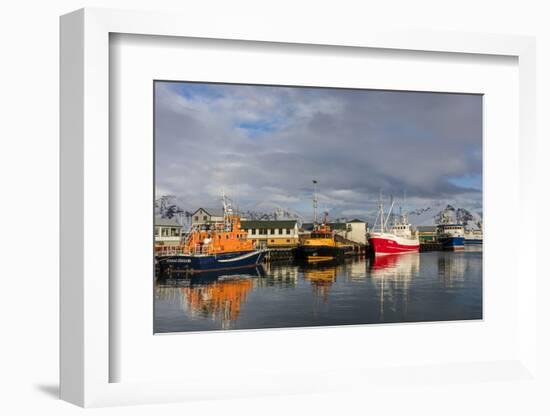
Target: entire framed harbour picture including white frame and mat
(270, 197)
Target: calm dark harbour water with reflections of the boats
(416, 287)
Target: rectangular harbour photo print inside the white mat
(279, 249)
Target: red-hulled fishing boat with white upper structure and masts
(396, 238)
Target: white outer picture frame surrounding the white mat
(85, 199)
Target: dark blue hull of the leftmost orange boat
(210, 263)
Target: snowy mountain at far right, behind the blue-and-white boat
(440, 211)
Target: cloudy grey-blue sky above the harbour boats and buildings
(264, 144)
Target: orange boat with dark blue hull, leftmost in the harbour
(210, 247)
